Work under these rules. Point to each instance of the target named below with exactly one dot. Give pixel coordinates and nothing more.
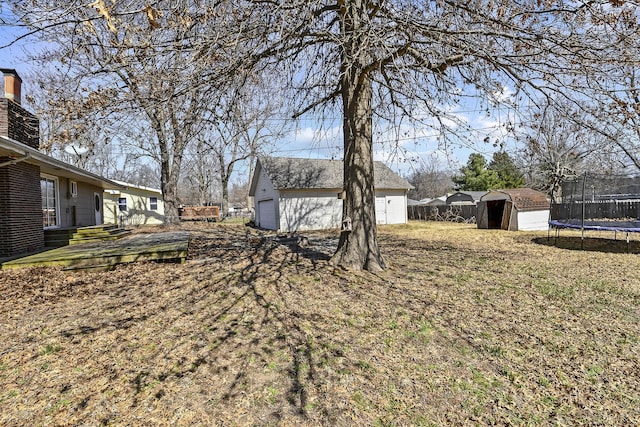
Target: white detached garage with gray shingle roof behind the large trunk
(302, 194)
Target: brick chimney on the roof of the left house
(16, 122)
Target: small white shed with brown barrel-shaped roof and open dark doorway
(515, 209)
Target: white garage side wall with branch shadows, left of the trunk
(311, 210)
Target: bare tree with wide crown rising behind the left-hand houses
(128, 62)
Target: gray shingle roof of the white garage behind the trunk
(295, 173)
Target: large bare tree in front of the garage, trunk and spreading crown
(409, 58)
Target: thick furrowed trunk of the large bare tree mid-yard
(358, 245)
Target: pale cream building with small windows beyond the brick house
(133, 205)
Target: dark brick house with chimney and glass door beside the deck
(38, 192)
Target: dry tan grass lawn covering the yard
(466, 327)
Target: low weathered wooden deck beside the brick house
(166, 247)
